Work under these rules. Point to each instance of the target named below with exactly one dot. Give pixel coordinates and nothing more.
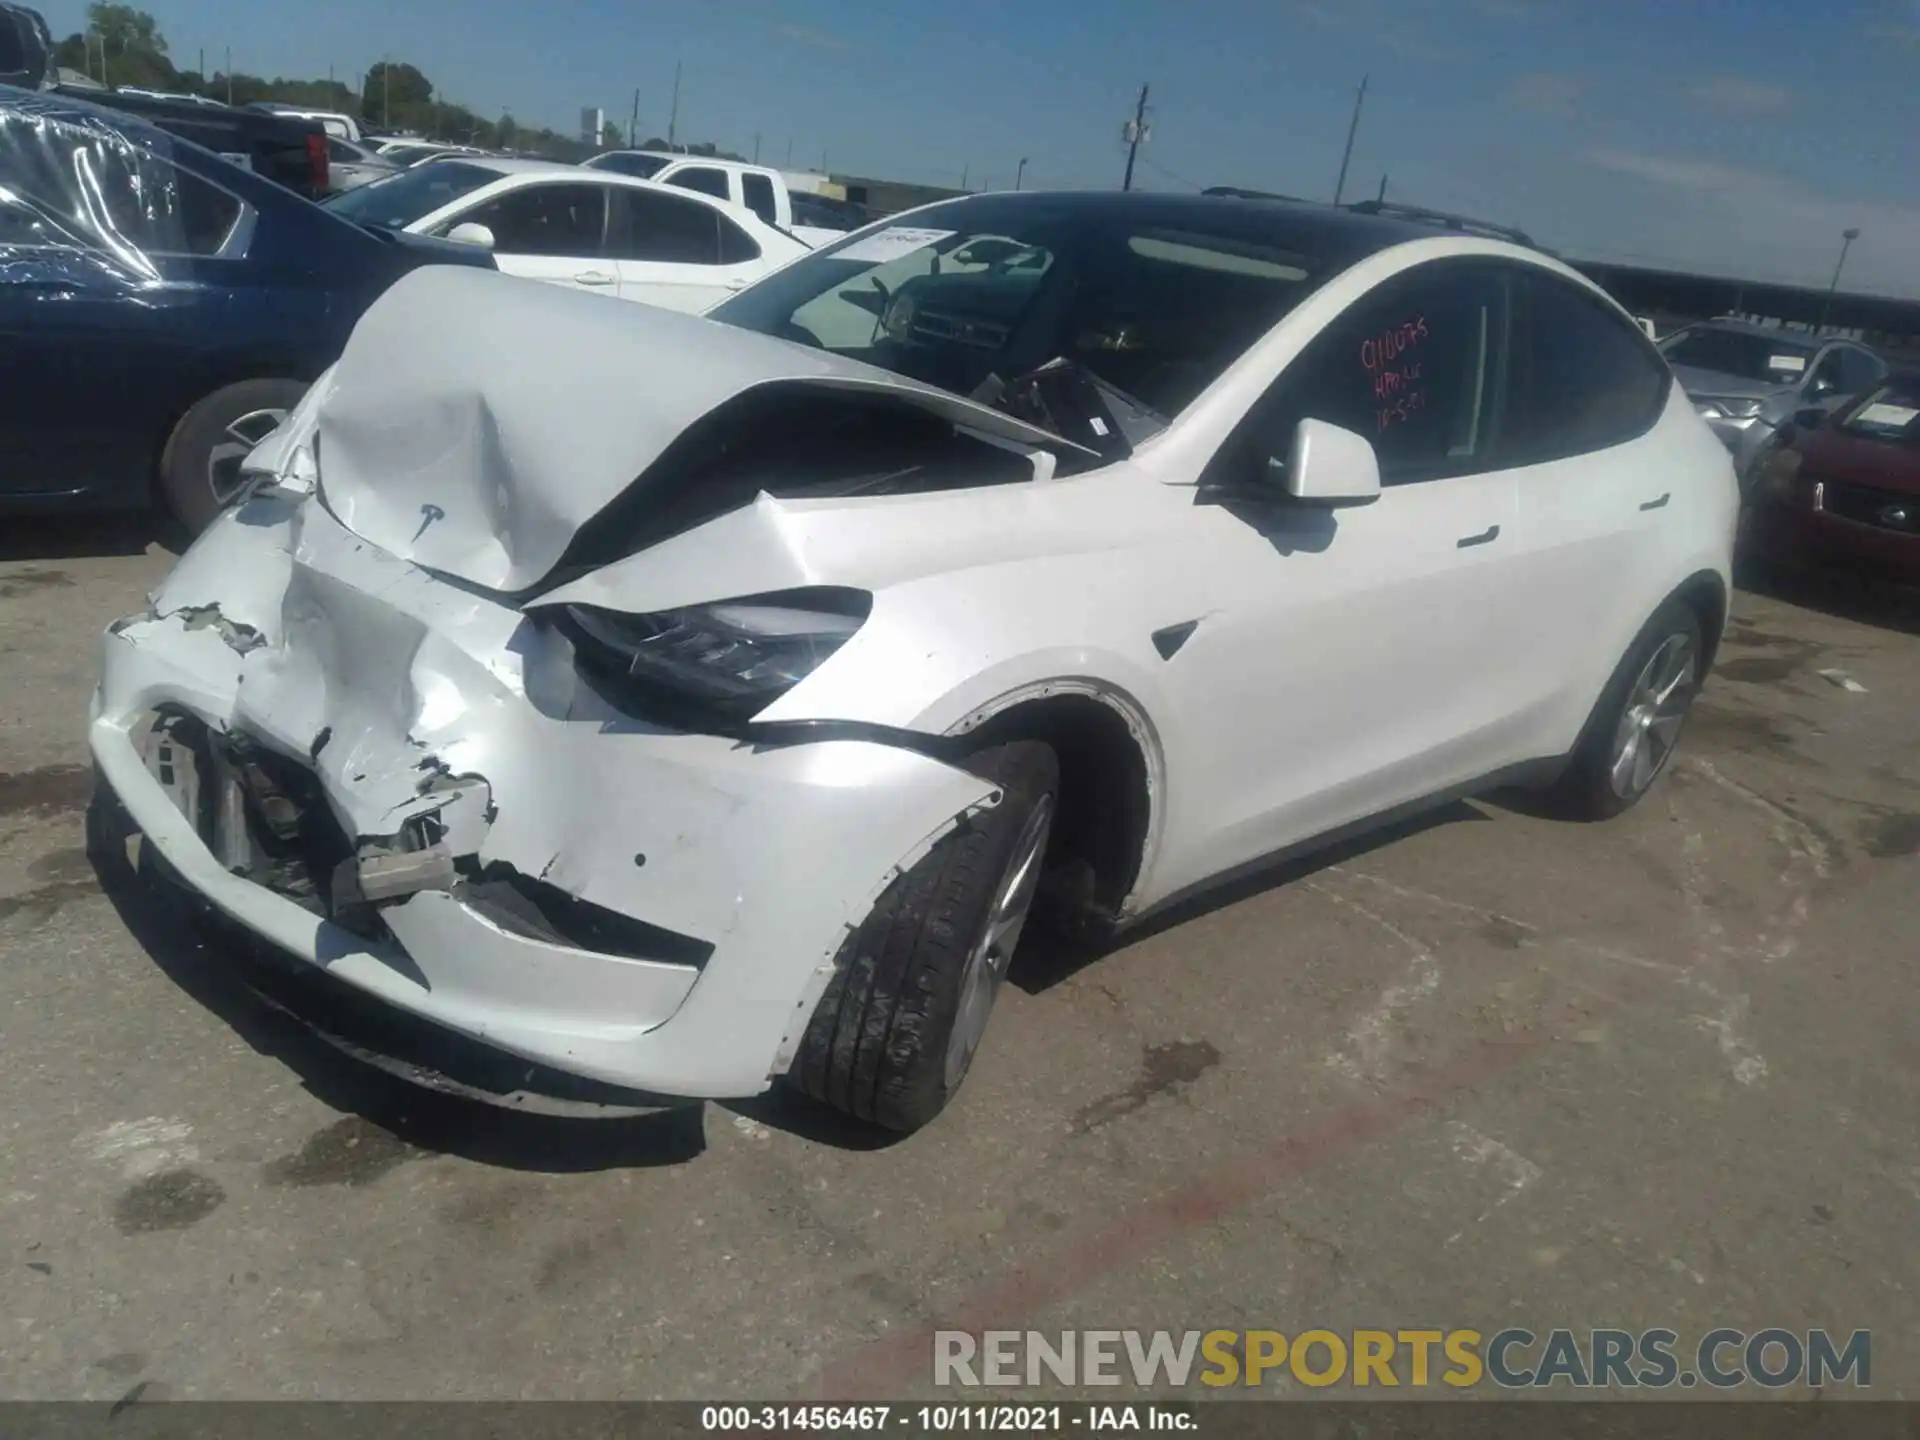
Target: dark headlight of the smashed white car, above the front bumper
(736, 656)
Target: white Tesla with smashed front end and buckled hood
(684, 704)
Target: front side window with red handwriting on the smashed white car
(1418, 368)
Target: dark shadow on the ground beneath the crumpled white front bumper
(210, 969)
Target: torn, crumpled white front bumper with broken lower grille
(408, 784)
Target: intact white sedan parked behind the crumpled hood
(598, 231)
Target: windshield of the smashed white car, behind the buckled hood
(974, 295)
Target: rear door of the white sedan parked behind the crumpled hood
(679, 252)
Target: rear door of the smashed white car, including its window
(1596, 504)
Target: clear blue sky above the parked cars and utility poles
(1735, 137)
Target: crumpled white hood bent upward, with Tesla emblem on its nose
(477, 421)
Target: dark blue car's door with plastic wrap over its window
(107, 308)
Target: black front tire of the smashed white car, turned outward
(878, 1042)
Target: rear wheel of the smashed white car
(1637, 725)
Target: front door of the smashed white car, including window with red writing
(1358, 658)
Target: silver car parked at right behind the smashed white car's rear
(1748, 381)
